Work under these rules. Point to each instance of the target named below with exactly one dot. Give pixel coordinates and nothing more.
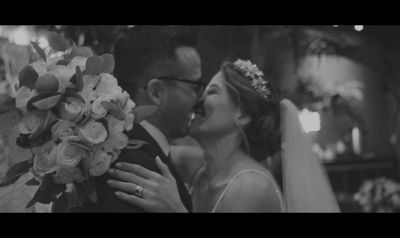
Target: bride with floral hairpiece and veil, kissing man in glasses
(237, 124)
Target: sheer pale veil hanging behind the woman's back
(306, 186)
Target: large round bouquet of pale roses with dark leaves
(72, 115)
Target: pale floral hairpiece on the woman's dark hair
(250, 70)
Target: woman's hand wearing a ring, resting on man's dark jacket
(159, 194)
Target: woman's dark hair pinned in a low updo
(261, 136)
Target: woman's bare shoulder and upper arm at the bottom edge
(251, 192)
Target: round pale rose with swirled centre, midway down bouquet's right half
(93, 132)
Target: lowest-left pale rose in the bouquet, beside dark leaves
(45, 158)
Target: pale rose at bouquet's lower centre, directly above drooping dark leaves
(69, 155)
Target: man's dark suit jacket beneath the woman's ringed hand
(144, 156)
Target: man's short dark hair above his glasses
(148, 51)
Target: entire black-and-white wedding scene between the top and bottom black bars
(199, 119)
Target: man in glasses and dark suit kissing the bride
(158, 67)
